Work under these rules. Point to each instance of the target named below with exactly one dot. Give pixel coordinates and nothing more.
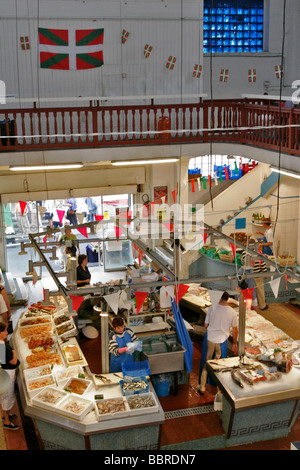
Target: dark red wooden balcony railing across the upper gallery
(262, 124)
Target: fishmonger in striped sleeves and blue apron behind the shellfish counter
(117, 346)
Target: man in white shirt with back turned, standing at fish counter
(219, 322)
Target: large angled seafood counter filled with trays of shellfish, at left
(71, 407)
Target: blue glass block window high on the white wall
(239, 25)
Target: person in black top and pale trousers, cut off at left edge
(10, 365)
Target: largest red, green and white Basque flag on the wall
(67, 49)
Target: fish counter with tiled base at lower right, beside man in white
(260, 399)
